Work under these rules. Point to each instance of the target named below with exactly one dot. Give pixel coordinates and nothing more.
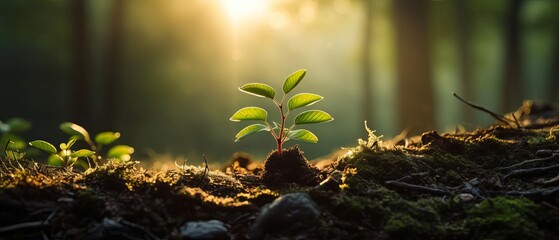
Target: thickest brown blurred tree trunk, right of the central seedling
(413, 69)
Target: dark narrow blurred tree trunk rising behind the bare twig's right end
(513, 58)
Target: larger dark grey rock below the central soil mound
(289, 213)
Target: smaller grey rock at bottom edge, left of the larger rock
(202, 230)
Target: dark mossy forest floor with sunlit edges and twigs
(449, 186)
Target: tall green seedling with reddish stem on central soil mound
(280, 132)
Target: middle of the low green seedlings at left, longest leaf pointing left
(66, 155)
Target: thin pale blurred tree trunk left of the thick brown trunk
(366, 62)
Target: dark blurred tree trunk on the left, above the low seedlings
(80, 67)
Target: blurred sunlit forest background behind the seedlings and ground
(165, 73)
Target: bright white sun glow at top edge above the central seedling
(243, 9)
